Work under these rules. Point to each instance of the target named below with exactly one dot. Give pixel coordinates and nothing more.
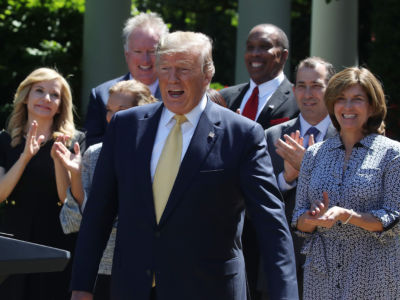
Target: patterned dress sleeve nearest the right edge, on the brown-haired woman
(389, 213)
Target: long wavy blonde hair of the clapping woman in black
(63, 122)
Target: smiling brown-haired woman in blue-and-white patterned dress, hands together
(348, 197)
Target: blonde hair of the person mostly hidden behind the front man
(139, 92)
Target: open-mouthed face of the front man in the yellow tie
(182, 81)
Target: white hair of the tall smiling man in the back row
(144, 20)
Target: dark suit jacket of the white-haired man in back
(95, 122)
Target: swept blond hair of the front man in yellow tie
(184, 41)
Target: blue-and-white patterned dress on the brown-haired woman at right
(345, 261)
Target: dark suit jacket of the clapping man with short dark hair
(272, 135)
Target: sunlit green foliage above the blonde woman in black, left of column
(35, 33)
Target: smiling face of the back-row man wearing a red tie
(263, 57)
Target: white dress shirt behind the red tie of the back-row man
(265, 91)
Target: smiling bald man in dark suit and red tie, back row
(268, 99)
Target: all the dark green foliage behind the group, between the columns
(36, 33)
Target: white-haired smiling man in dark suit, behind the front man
(141, 35)
